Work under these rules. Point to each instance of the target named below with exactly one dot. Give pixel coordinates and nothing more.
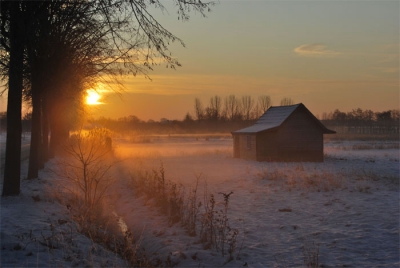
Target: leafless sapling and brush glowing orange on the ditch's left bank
(85, 166)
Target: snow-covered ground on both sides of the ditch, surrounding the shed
(346, 209)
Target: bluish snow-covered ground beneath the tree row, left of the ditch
(37, 232)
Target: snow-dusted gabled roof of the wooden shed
(274, 117)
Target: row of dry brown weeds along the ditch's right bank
(212, 225)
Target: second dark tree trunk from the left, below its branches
(36, 132)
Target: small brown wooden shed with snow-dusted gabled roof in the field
(283, 133)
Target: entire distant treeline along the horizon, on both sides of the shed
(232, 113)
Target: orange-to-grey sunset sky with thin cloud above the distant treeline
(325, 54)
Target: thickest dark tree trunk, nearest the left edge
(12, 167)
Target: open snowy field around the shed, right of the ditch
(346, 208)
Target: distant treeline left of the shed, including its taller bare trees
(220, 115)
